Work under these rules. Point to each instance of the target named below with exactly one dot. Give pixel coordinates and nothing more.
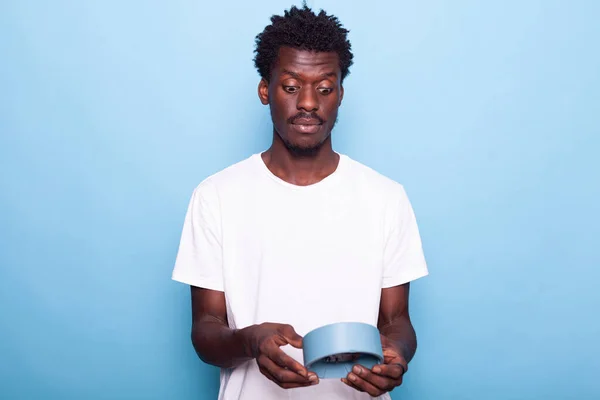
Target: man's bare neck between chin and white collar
(300, 170)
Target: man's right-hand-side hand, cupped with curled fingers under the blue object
(382, 378)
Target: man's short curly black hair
(301, 28)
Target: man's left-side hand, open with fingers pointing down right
(265, 341)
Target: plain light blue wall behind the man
(111, 112)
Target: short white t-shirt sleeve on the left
(199, 258)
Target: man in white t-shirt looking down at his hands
(299, 236)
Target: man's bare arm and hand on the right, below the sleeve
(399, 343)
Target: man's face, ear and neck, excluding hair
(304, 88)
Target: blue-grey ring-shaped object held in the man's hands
(332, 350)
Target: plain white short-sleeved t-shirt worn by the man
(301, 255)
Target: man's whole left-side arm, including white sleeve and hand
(200, 265)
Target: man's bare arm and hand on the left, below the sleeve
(217, 344)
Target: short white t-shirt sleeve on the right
(404, 260)
